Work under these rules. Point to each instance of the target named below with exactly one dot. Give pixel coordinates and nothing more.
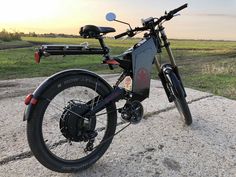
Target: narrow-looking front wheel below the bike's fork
(178, 95)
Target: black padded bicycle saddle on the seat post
(90, 31)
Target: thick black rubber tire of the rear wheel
(34, 129)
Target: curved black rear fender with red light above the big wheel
(50, 81)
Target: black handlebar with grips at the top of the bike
(167, 17)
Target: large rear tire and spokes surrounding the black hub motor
(45, 139)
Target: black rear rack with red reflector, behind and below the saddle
(82, 49)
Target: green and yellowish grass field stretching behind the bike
(204, 65)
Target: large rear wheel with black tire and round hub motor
(58, 134)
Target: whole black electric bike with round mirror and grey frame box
(72, 116)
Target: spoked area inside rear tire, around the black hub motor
(59, 145)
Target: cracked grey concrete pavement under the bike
(161, 145)
